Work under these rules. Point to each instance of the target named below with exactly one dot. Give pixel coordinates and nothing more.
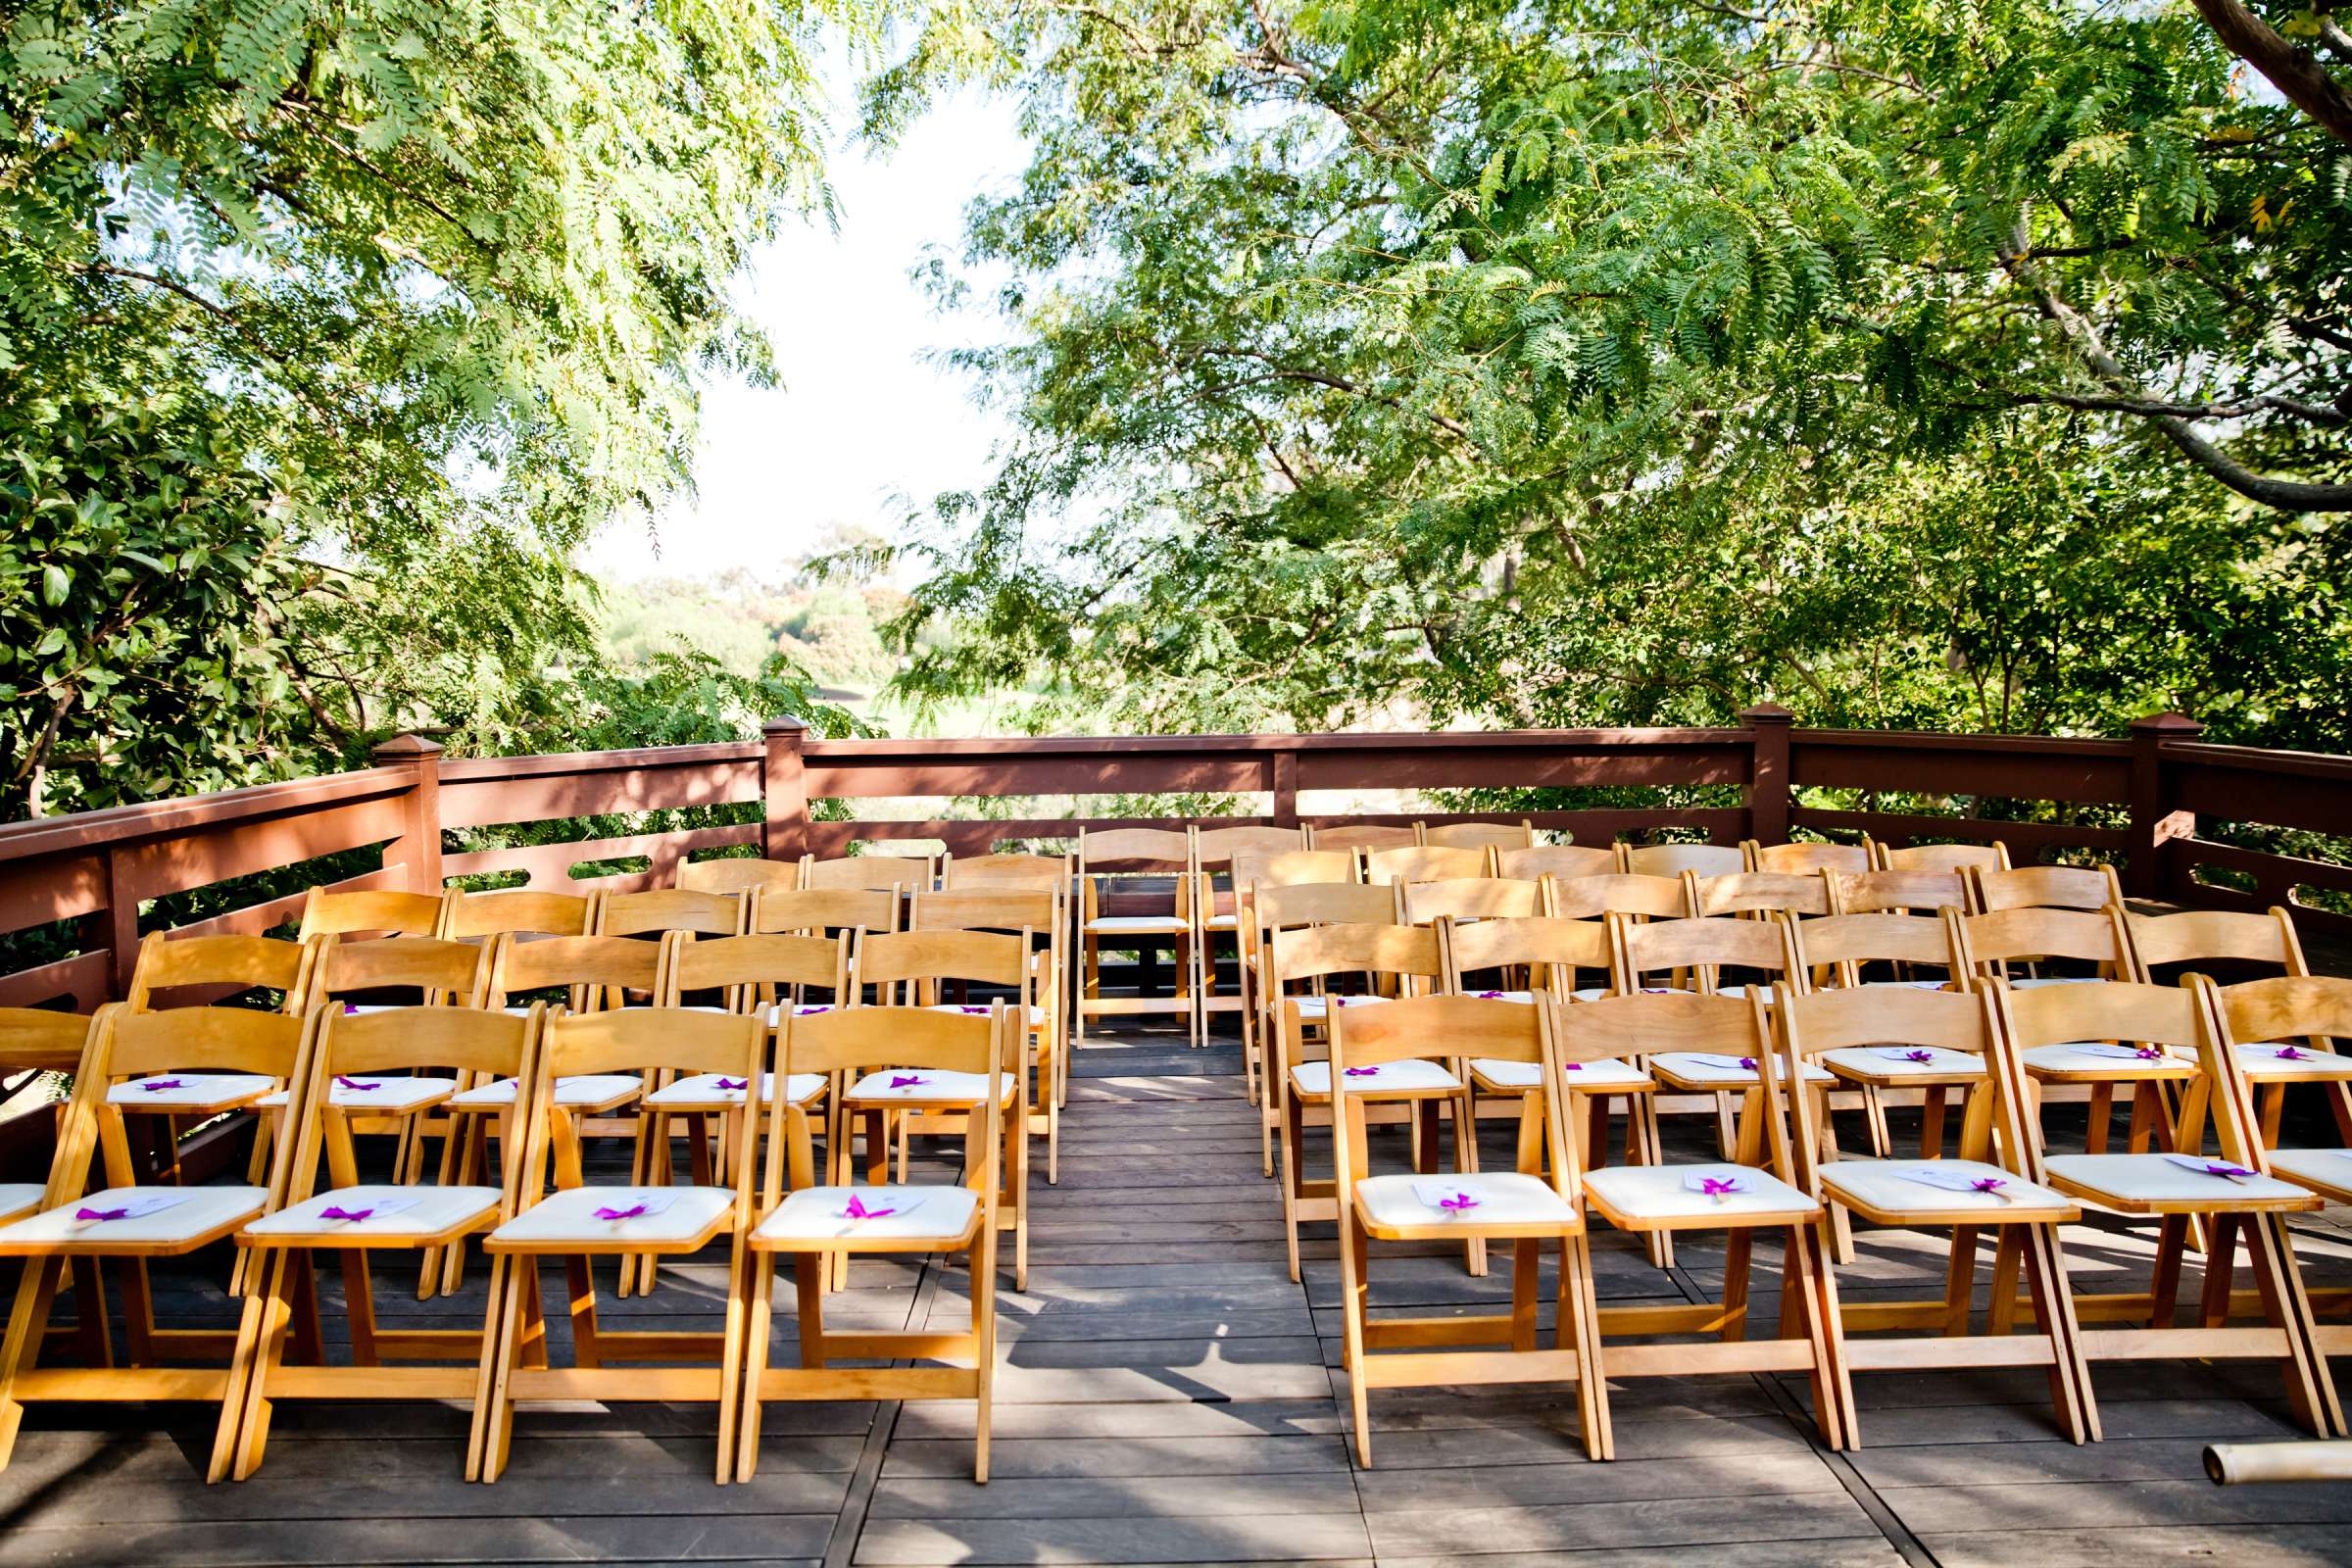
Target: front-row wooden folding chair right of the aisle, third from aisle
(1996, 1184)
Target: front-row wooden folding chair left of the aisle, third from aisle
(356, 1221)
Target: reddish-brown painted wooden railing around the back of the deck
(100, 869)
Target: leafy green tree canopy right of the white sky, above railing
(1629, 361)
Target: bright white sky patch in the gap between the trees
(860, 420)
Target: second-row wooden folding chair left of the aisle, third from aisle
(594, 974)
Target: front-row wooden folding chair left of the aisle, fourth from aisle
(131, 1221)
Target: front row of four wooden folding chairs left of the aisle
(773, 1205)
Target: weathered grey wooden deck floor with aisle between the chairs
(1168, 1398)
